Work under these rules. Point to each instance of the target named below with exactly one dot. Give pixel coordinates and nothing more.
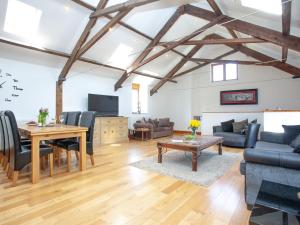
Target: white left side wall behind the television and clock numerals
(37, 74)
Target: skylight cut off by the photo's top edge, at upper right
(269, 6)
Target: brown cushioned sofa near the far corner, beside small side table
(158, 127)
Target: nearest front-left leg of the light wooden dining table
(35, 159)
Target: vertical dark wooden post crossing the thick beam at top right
(286, 24)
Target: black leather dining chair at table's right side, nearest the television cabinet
(87, 120)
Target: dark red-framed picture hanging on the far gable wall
(239, 97)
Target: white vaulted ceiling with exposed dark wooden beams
(150, 38)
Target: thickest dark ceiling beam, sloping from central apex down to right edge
(270, 35)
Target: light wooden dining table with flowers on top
(57, 131)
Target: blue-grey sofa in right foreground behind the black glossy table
(271, 160)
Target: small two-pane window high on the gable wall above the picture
(223, 72)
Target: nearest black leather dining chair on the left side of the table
(20, 155)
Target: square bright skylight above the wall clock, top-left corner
(22, 19)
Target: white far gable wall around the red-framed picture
(195, 94)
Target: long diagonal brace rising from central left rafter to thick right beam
(172, 46)
